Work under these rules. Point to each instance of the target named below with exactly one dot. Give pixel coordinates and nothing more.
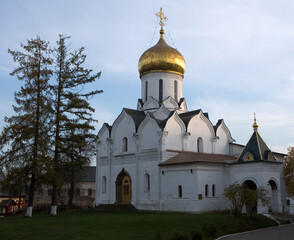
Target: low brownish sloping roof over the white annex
(193, 157)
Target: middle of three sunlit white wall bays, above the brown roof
(199, 128)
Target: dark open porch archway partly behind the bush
(251, 195)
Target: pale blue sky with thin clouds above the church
(239, 55)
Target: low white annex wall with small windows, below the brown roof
(193, 183)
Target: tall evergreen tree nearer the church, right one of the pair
(73, 113)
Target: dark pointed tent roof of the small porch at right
(256, 150)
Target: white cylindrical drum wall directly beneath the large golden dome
(168, 85)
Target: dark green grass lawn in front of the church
(84, 224)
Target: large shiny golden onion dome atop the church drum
(162, 57)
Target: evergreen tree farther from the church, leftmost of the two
(24, 140)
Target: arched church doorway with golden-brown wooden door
(123, 187)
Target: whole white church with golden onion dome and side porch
(163, 157)
